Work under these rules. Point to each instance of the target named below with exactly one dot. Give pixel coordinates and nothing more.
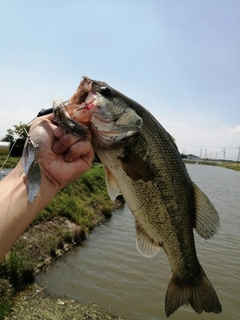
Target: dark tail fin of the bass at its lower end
(200, 294)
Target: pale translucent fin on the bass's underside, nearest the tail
(145, 244)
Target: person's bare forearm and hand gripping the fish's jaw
(62, 159)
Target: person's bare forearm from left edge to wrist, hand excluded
(16, 212)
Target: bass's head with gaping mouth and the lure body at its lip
(93, 106)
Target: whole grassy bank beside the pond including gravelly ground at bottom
(63, 225)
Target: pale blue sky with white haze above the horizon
(180, 59)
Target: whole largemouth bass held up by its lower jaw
(142, 162)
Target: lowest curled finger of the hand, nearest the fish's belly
(78, 150)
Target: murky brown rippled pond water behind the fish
(108, 270)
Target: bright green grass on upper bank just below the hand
(80, 201)
